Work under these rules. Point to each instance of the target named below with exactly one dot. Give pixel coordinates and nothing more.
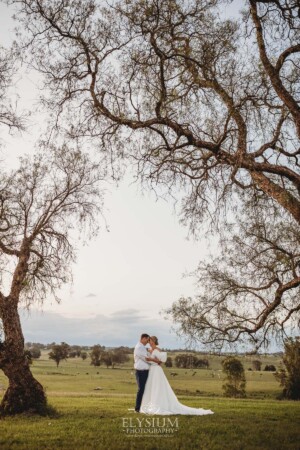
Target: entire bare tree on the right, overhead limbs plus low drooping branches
(202, 104)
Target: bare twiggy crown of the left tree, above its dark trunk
(50, 196)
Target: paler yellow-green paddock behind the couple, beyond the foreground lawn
(79, 377)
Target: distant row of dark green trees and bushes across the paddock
(235, 381)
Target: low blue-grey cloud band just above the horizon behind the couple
(123, 327)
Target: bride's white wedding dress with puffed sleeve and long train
(159, 397)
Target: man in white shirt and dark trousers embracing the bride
(141, 366)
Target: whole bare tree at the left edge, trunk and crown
(44, 204)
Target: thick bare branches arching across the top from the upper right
(207, 109)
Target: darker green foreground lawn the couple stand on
(98, 423)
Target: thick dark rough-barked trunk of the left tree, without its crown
(24, 392)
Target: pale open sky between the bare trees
(125, 277)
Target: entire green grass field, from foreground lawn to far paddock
(92, 412)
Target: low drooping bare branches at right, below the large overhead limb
(249, 292)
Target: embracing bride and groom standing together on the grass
(155, 395)
